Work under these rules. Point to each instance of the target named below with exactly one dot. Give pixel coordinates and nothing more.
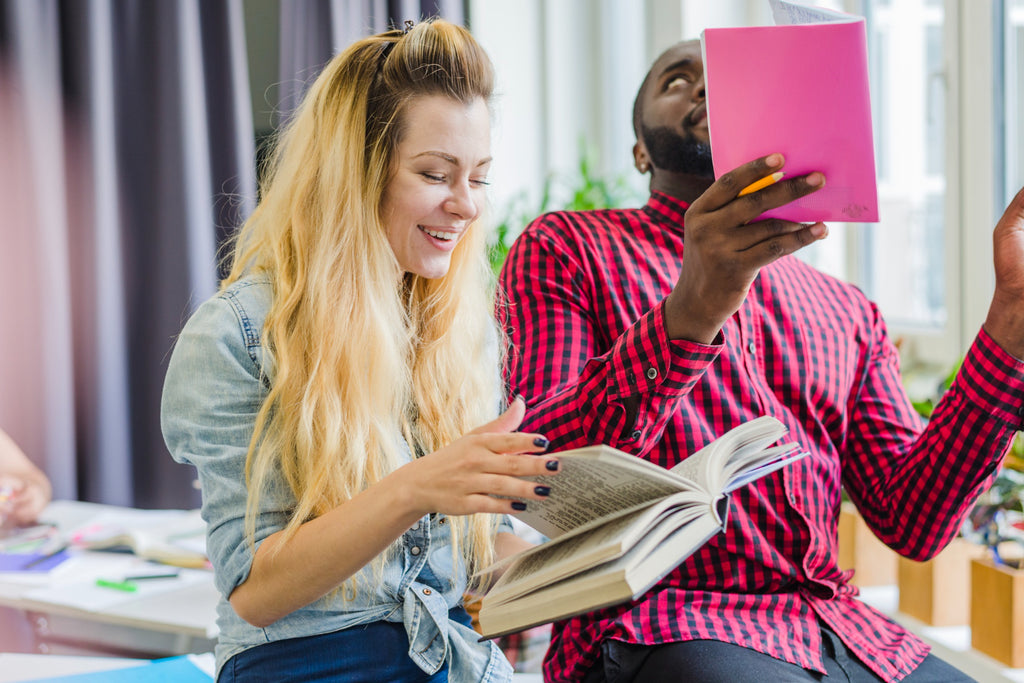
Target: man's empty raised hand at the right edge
(1006, 315)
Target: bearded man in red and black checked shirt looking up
(630, 330)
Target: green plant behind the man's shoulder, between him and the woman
(584, 192)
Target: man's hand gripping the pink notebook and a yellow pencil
(724, 251)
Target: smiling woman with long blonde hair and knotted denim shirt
(339, 397)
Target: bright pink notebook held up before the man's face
(799, 89)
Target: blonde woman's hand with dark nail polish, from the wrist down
(465, 477)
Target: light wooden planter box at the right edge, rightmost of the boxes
(998, 612)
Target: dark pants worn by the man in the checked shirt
(714, 662)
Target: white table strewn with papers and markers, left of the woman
(177, 618)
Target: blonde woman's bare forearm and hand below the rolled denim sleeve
(461, 479)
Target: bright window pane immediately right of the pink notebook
(900, 263)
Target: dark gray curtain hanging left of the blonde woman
(133, 157)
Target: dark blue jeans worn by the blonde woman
(368, 654)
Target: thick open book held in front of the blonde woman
(618, 525)
